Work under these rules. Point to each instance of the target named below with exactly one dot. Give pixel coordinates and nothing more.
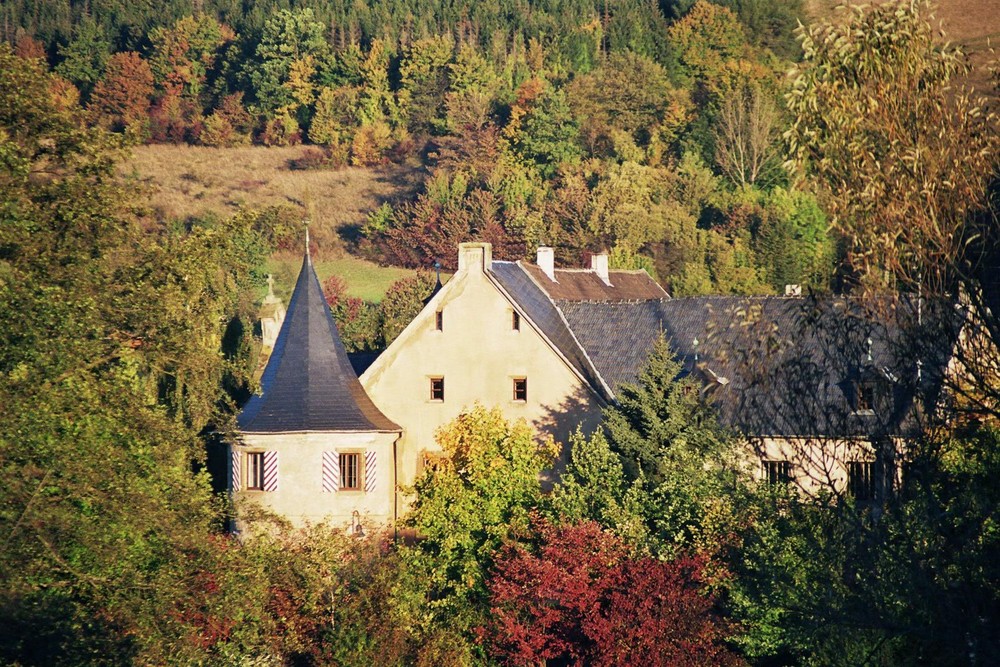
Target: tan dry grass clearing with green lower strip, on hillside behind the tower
(187, 181)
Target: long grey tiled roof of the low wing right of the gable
(776, 366)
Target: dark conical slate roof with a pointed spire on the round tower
(308, 384)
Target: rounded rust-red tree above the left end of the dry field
(121, 98)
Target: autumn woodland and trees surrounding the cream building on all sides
(712, 143)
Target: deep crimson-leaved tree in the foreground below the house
(584, 599)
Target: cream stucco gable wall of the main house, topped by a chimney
(479, 354)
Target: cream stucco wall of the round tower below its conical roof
(300, 497)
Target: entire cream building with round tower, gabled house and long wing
(826, 390)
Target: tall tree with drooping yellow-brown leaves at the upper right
(905, 151)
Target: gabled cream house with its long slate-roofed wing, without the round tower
(818, 386)
